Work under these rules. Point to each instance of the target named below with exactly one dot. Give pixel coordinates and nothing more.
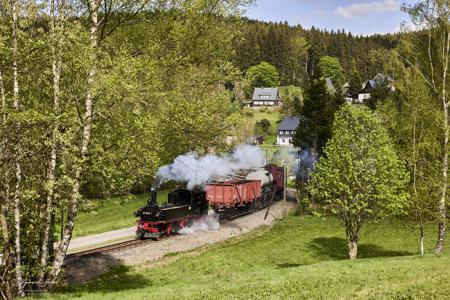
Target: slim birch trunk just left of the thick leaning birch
(57, 36)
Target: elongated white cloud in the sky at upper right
(359, 9)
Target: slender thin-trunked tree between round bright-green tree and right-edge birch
(414, 127)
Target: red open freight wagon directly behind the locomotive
(232, 193)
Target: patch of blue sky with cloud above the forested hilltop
(357, 16)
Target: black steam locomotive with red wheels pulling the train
(182, 207)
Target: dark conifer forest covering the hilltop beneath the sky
(295, 51)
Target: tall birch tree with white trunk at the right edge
(429, 54)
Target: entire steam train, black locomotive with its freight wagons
(228, 198)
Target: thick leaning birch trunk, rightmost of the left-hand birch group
(87, 121)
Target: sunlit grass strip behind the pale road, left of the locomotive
(111, 214)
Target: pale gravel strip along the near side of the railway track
(91, 267)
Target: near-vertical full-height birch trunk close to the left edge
(17, 154)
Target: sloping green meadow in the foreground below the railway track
(300, 257)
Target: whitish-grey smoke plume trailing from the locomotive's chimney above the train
(197, 170)
